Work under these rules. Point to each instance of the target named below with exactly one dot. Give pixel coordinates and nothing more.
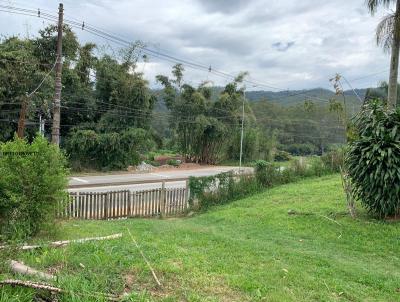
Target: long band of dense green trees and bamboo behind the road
(105, 96)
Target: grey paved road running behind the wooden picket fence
(142, 181)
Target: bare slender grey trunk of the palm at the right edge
(394, 60)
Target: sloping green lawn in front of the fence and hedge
(249, 250)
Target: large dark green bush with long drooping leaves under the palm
(373, 159)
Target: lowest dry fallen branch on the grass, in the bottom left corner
(53, 289)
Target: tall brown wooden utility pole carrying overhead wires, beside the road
(55, 133)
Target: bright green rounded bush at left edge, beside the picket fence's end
(32, 185)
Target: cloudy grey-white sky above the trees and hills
(285, 44)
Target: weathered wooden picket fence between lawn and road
(120, 204)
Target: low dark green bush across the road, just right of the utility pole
(89, 149)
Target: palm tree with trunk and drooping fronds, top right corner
(388, 36)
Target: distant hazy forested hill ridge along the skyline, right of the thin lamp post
(291, 97)
